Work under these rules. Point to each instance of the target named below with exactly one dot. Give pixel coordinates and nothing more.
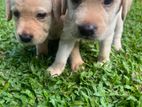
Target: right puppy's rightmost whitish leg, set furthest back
(118, 34)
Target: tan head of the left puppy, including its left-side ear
(33, 19)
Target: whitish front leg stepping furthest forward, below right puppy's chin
(64, 50)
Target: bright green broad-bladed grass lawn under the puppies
(24, 82)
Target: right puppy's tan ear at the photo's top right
(126, 4)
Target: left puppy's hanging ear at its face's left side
(8, 10)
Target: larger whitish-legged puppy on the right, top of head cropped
(90, 19)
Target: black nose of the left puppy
(26, 37)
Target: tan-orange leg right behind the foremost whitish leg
(75, 58)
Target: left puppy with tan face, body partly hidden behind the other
(36, 21)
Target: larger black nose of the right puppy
(87, 30)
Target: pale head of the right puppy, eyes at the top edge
(93, 19)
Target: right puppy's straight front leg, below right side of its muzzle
(105, 49)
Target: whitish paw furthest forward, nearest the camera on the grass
(56, 69)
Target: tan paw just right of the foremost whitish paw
(77, 64)
